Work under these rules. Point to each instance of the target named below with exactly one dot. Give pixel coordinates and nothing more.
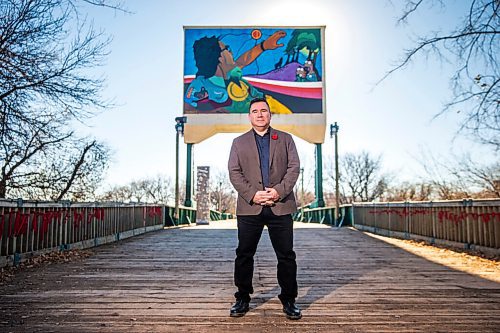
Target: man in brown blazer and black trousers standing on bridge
(263, 168)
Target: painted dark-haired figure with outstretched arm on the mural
(219, 81)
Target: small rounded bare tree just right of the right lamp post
(361, 178)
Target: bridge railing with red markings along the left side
(31, 227)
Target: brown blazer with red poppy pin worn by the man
(245, 175)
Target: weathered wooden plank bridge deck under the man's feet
(180, 280)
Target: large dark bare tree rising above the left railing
(45, 50)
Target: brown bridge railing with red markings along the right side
(464, 223)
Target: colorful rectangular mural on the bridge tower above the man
(225, 68)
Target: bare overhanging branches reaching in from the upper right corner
(474, 45)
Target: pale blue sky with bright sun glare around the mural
(394, 119)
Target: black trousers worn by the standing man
(281, 233)
